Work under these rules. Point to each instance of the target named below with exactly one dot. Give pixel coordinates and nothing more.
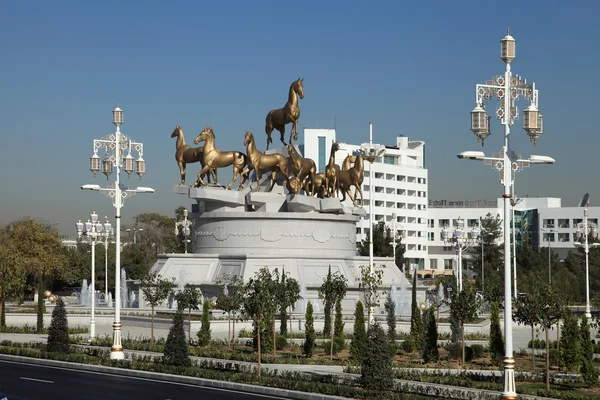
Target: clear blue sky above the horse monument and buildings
(410, 67)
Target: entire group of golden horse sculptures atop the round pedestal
(302, 175)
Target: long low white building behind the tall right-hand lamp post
(539, 222)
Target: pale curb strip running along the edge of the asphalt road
(200, 382)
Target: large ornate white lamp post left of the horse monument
(115, 145)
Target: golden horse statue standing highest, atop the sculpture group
(277, 119)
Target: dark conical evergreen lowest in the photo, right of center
(377, 372)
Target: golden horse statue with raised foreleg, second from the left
(215, 158)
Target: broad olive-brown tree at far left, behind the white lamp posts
(39, 248)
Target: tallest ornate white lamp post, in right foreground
(507, 88)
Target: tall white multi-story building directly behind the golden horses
(399, 188)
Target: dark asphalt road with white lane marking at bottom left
(21, 381)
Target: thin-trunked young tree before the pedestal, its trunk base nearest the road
(260, 303)
